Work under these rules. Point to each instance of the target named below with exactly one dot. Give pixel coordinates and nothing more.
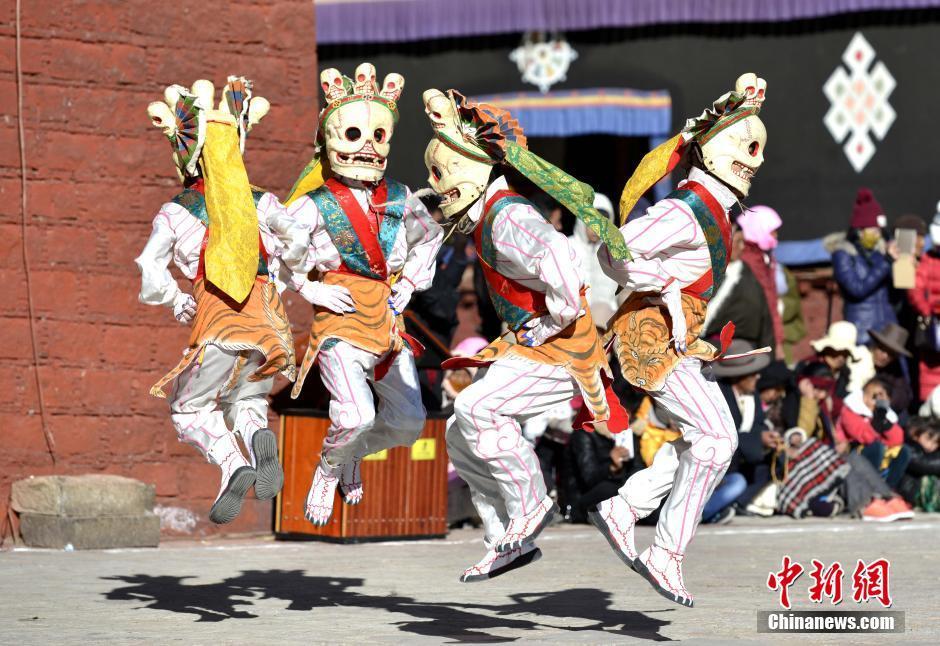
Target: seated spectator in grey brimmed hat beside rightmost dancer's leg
(738, 380)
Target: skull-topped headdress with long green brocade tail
(489, 135)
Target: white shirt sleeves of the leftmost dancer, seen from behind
(177, 235)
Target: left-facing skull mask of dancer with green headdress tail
(458, 179)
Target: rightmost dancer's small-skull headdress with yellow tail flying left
(730, 109)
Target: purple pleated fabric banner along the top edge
(377, 21)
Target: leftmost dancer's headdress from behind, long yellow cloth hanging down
(209, 143)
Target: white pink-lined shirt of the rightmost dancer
(667, 243)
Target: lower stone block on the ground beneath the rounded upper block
(103, 532)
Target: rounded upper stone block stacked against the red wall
(85, 496)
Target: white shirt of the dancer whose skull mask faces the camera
(413, 252)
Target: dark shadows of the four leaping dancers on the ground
(458, 622)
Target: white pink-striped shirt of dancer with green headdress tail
(530, 251)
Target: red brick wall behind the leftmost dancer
(97, 172)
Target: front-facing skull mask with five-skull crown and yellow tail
(355, 138)
